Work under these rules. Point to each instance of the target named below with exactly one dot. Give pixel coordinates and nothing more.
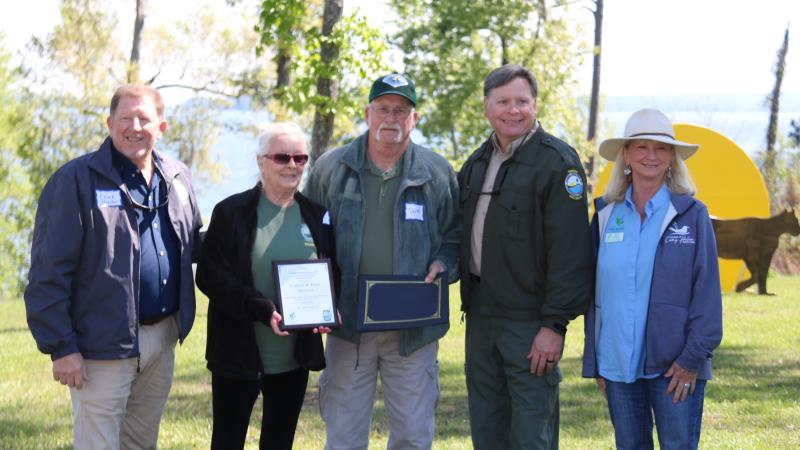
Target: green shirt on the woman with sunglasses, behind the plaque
(280, 234)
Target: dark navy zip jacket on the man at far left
(83, 285)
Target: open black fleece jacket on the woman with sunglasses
(224, 274)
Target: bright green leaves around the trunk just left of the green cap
(296, 26)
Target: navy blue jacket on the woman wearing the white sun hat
(684, 318)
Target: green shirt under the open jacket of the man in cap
(380, 194)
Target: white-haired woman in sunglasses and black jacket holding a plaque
(247, 353)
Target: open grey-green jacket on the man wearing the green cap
(335, 182)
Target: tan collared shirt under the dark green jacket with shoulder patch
(497, 159)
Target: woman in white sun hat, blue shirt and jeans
(656, 317)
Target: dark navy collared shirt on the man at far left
(159, 263)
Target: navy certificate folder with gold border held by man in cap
(391, 302)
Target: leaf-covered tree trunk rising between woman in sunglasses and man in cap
(326, 86)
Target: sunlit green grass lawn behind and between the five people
(753, 403)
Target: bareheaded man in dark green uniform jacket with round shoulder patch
(526, 267)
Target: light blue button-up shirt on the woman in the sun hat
(624, 274)
